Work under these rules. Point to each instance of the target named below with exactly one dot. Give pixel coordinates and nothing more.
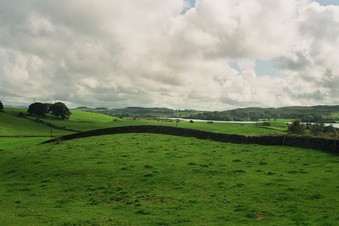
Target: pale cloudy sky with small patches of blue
(180, 54)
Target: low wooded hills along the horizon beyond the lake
(318, 113)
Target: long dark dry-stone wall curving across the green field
(331, 145)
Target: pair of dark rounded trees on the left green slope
(57, 109)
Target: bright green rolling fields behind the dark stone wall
(13, 126)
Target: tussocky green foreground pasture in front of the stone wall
(143, 179)
